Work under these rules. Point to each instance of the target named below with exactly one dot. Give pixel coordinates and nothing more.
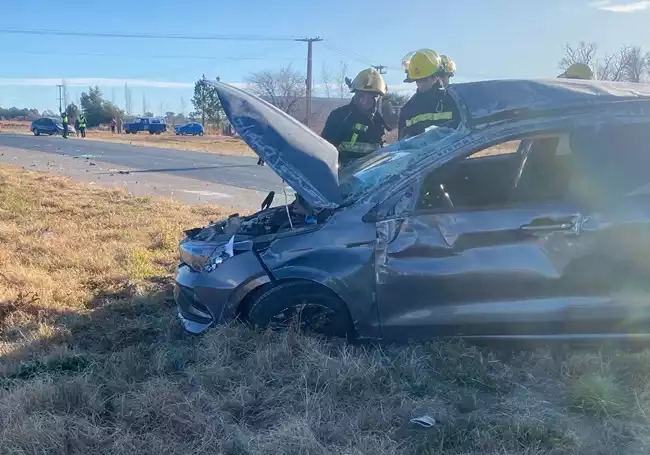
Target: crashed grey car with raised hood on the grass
(436, 236)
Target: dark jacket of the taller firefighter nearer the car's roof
(424, 109)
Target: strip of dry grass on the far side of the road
(220, 145)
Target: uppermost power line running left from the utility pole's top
(146, 35)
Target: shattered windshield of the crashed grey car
(388, 163)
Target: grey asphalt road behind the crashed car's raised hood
(236, 171)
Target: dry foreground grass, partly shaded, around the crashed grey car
(93, 361)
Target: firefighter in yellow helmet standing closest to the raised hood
(357, 128)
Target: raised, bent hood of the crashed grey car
(300, 157)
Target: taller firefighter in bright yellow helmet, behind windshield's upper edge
(431, 105)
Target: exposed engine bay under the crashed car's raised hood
(268, 221)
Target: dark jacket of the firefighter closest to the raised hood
(353, 132)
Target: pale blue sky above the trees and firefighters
(487, 38)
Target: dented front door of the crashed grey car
(486, 269)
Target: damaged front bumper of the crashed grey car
(207, 298)
